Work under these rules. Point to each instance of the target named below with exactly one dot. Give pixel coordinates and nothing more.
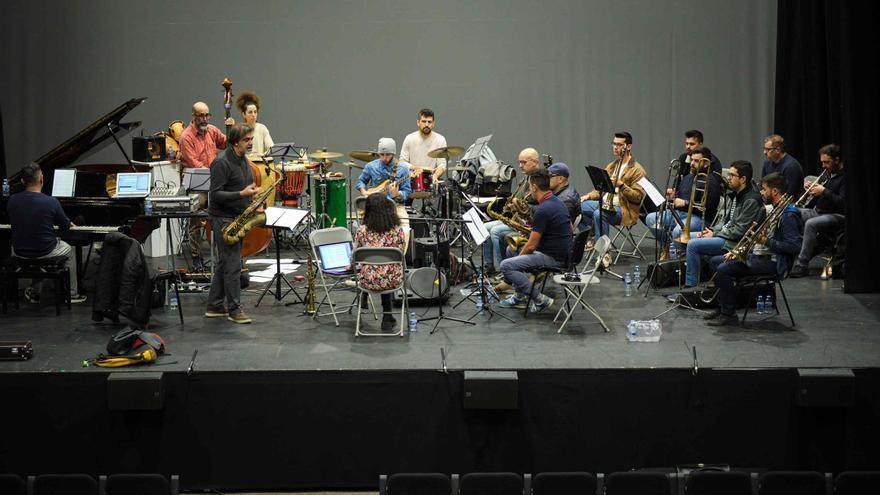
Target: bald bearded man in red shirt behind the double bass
(198, 148)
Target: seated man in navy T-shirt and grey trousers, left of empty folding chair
(549, 245)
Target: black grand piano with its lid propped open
(92, 209)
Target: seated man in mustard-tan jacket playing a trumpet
(625, 201)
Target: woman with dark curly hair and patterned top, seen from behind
(381, 228)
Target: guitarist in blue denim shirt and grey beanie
(385, 174)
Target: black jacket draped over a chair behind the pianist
(123, 281)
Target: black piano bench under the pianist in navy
(55, 268)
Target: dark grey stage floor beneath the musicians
(833, 329)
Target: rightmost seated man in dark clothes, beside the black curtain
(828, 214)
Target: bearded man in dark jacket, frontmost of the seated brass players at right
(769, 255)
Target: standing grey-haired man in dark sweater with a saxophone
(232, 187)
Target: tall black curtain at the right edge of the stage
(826, 91)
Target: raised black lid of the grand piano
(91, 139)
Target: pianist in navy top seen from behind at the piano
(33, 217)
